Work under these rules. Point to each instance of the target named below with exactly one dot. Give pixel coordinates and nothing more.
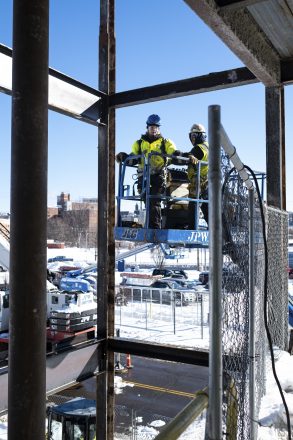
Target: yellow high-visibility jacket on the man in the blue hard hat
(160, 145)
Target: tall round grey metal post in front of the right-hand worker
(215, 238)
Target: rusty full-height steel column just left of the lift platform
(106, 212)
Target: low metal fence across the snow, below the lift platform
(162, 310)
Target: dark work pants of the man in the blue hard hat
(157, 187)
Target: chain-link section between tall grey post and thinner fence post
(235, 307)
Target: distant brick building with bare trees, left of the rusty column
(74, 223)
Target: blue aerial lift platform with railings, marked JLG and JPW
(174, 201)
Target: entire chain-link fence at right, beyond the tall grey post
(236, 302)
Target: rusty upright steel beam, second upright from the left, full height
(105, 380)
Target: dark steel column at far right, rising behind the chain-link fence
(275, 147)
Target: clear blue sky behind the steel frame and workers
(157, 41)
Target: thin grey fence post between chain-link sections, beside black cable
(251, 317)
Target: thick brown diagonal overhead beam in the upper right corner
(240, 32)
